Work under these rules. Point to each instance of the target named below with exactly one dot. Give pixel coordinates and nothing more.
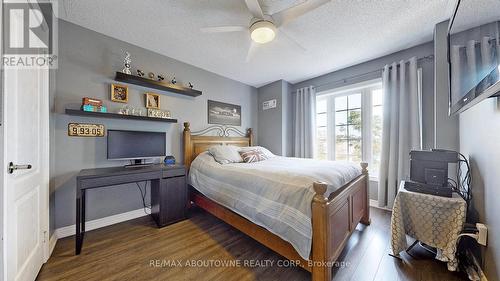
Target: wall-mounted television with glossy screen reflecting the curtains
(473, 53)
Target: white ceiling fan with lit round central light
(263, 28)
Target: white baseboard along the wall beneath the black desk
(102, 222)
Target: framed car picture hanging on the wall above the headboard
(224, 113)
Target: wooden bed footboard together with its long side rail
(333, 221)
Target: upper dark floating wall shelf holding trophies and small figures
(152, 84)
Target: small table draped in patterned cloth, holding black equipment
(434, 220)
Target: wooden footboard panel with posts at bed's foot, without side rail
(333, 221)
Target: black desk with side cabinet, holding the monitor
(168, 191)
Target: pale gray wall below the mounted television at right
(480, 141)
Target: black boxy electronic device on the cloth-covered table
(429, 171)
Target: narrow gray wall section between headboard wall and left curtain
(275, 124)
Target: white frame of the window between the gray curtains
(365, 89)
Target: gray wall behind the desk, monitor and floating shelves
(87, 63)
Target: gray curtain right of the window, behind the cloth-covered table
(401, 127)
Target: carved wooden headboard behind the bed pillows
(196, 142)
